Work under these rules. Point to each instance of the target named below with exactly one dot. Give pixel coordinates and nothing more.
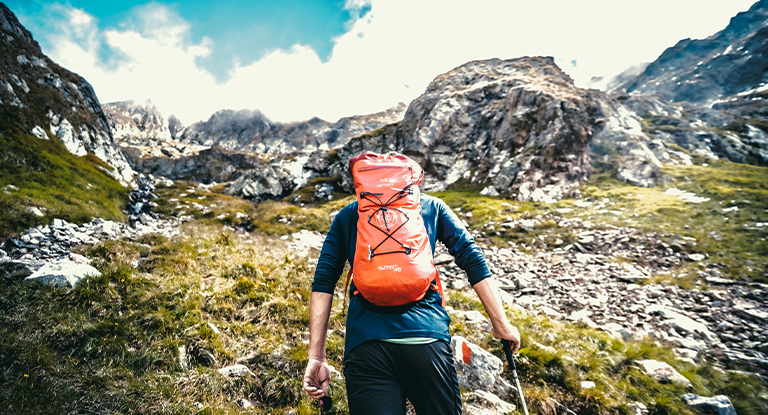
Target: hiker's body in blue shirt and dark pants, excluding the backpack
(397, 352)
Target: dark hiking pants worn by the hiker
(381, 375)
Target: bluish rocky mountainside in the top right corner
(732, 61)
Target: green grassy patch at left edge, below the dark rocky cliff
(61, 184)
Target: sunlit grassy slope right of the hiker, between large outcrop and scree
(730, 237)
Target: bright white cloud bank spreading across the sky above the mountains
(390, 54)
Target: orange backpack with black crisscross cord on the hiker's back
(393, 262)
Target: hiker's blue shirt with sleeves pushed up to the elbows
(426, 317)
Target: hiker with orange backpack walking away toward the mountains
(397, 343)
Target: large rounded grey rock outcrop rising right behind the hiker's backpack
(518, 127)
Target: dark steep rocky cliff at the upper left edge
(39, 97)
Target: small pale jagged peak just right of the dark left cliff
(137, 124)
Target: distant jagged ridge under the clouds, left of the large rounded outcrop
(251, 131)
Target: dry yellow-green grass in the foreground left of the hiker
(112, 344)
